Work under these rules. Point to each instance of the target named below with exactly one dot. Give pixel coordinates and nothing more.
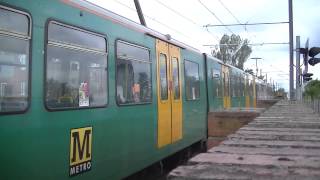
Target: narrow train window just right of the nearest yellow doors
(192, 80)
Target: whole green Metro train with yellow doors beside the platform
(88, 94)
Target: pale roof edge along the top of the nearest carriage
(116, 18)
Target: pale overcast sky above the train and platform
(184, 21)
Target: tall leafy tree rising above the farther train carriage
(233, 50)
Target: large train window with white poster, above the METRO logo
(76, 68)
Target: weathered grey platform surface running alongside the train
(282, 143)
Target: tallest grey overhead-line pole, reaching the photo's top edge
(291, 94)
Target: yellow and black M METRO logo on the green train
(80, 150)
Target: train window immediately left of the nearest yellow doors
(133, 74)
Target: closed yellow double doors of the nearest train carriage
(169, 93)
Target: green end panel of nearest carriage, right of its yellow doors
(194, 103)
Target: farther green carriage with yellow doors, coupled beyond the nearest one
(229, 87)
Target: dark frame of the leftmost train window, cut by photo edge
(22, 37)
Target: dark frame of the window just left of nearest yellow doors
(116, 71)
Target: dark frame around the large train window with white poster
(46, 44)
